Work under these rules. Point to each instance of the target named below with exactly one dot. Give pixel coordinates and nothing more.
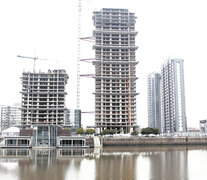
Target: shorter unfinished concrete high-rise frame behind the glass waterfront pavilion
(43, 98)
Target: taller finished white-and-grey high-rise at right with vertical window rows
(173, 114)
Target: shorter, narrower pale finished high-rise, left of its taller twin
(154, 108)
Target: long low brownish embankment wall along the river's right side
(137, 141)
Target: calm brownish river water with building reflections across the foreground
(142, 163)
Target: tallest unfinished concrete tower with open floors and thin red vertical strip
(115, 69)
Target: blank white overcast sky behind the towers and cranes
(48, 29)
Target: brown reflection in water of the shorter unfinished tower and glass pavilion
(43, 165)
